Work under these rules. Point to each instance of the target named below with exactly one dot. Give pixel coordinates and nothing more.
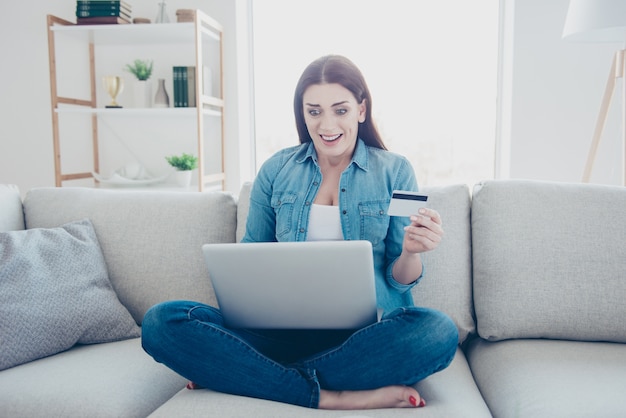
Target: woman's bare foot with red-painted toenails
(386, 397)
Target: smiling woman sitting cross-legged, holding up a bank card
(336, 184)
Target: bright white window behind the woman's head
(431, 68)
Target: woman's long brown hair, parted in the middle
(332, 69)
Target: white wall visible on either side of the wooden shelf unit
(26, 156)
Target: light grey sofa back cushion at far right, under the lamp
(549, 260)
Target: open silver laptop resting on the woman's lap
(294, 285)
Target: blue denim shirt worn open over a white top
(286, 186)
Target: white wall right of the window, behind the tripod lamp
(555, 92)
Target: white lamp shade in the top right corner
(596, 21)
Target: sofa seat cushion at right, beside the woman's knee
(550, 378)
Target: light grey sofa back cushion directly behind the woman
(447, 284)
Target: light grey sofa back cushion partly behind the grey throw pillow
(151, 240)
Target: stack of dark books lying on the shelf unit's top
(99, 12)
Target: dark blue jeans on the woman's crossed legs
(291, 366)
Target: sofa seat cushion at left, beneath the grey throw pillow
(115, 379)
